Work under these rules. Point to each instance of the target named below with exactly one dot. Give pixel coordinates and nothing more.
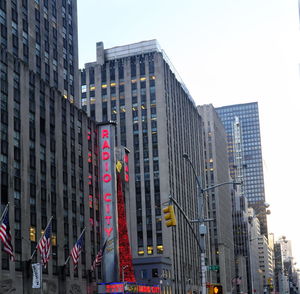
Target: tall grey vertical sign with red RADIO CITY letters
(108, 201)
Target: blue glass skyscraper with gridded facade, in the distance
(247, 116)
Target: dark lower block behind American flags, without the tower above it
(44, 168)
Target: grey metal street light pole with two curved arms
(201, 220)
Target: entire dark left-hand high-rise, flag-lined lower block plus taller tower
(44, 150)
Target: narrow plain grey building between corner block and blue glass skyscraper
(219, 204)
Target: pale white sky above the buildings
(227, 52)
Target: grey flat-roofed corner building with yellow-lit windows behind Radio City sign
(157, 120)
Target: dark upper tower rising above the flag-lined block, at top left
(42, 35)
